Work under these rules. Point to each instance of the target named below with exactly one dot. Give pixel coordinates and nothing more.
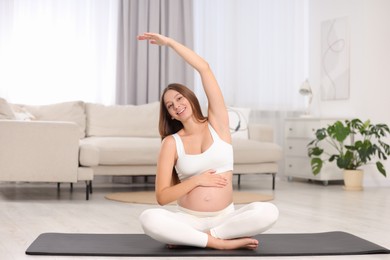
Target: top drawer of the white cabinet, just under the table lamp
(301, 128)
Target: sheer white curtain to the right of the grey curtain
(258, 51)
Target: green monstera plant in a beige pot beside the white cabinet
(351, 144)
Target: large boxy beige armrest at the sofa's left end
(38, 151)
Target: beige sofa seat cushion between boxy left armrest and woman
(119, 151)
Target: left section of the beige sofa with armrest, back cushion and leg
(43, 147)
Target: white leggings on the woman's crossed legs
(186, 227)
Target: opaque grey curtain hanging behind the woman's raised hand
(144, 70)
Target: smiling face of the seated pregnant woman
(178, 106)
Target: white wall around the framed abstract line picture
(369, 98)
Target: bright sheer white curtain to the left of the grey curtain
(54, 50)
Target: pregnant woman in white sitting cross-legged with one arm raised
(195, 168)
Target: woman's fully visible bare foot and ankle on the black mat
(225, 244)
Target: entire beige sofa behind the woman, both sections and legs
(74, 141)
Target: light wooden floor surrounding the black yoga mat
(27, 210)
